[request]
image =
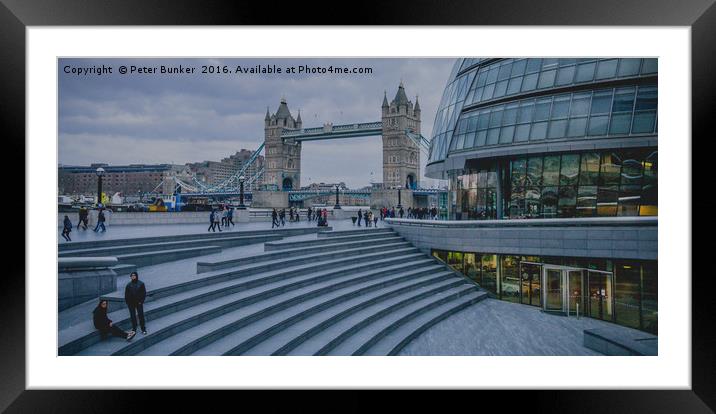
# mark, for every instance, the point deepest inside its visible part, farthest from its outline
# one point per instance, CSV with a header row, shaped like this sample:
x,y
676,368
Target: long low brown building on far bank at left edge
x,y
126,179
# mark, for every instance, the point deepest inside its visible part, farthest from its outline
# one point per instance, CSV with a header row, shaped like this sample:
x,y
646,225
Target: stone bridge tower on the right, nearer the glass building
x,y
401,156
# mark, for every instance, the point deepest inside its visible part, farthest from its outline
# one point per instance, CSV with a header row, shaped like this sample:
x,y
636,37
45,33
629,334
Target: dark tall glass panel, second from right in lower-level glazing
x,y
627,296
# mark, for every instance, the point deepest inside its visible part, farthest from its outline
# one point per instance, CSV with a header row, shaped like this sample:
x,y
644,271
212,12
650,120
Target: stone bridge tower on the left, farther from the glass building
x,y
282,156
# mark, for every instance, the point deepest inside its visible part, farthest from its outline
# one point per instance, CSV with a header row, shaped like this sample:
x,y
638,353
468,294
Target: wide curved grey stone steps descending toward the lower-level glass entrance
x,y
358,292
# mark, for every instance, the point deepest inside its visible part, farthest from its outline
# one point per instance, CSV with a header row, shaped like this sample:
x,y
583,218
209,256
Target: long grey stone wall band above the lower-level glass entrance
x,y
616,238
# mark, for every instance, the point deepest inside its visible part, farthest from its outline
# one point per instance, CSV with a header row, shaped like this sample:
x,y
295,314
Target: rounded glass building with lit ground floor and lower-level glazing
x,y
572,140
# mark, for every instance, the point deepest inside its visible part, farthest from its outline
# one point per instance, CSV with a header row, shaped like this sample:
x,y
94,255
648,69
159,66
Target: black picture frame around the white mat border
x,y
16,15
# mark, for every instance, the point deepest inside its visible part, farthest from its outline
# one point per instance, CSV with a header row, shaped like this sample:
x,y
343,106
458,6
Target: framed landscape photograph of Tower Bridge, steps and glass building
x,y
358,206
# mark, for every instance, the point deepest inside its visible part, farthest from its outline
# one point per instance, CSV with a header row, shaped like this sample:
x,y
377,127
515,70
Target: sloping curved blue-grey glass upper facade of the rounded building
x,y
492,102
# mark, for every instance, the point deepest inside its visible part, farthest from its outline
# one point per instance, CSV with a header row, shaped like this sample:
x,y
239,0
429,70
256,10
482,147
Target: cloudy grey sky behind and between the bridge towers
x,y
179,118
